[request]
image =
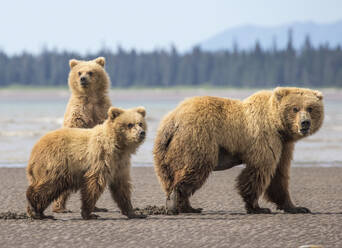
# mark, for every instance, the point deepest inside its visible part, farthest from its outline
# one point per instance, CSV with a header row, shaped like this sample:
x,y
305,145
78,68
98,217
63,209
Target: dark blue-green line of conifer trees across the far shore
x,y
308,67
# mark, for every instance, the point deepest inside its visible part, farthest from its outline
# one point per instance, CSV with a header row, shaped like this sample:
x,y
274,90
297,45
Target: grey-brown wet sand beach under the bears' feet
x,y
223,222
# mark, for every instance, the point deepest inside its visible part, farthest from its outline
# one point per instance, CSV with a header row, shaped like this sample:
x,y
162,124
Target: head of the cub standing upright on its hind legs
x,y
88,77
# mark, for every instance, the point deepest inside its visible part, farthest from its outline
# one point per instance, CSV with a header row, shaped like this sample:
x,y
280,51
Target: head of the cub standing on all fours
x,y
128,125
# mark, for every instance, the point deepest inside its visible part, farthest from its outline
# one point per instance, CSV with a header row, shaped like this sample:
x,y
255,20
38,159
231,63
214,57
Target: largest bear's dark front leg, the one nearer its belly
x,y
251,183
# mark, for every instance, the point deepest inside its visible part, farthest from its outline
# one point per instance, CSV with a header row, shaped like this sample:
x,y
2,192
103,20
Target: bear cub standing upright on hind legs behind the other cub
x,y
87,106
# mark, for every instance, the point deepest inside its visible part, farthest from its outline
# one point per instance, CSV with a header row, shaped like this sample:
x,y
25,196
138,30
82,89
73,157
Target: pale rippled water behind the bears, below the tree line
x,y
26,116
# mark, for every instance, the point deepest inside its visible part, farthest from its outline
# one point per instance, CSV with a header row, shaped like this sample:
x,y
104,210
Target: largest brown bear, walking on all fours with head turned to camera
x,y
204,134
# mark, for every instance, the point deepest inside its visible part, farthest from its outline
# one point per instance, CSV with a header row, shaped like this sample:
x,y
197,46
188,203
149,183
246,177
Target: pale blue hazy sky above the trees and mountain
x,y
86,25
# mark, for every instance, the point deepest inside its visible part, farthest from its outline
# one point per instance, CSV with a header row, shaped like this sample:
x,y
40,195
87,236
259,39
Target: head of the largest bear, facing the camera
x,y
301,111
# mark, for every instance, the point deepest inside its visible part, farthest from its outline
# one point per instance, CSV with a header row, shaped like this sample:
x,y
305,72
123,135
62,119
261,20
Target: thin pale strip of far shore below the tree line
x,y
155,94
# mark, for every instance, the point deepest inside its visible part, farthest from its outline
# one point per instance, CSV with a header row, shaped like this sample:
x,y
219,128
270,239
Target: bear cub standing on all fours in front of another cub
x,y
86,159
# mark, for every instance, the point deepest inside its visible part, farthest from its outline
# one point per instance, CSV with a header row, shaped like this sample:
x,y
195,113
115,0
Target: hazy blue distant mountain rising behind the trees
x,y
246,36
